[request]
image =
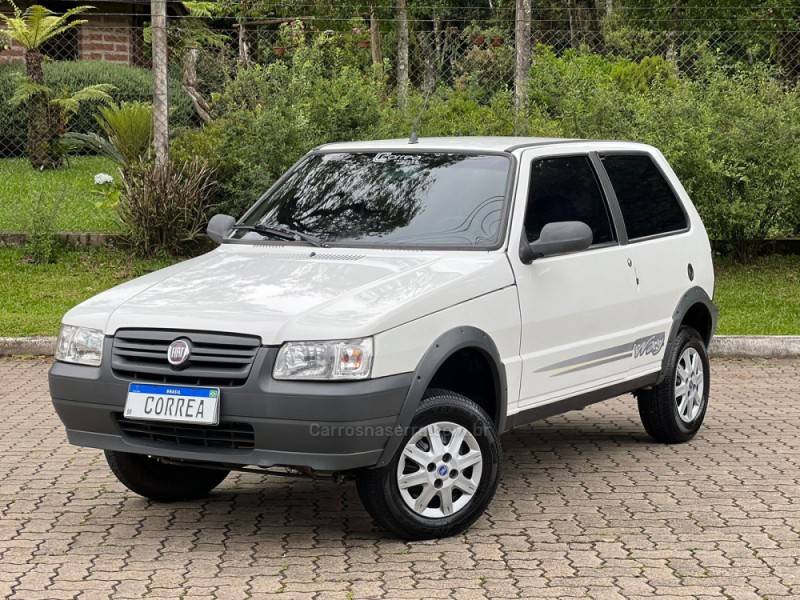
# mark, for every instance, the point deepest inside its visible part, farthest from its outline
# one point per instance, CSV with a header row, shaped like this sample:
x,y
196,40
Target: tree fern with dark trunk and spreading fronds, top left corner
x,y
31,29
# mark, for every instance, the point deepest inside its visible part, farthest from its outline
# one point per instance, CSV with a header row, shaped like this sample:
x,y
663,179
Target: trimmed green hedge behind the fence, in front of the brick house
x,y
131,84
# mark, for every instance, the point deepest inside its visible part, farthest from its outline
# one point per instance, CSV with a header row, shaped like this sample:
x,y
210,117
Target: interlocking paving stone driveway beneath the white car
x,y
588,506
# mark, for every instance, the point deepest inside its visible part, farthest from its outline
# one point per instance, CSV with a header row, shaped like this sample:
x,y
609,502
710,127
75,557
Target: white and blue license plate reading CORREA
x,y
173,403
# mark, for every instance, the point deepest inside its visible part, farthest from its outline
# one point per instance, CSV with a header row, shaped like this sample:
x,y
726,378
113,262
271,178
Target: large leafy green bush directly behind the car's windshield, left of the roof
x,y
268,117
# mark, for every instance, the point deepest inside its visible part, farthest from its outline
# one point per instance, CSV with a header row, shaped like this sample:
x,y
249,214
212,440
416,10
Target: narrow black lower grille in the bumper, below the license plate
x,y
233,436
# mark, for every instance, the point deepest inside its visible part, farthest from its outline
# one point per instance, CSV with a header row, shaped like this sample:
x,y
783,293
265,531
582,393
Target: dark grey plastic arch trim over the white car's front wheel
x,y
440,350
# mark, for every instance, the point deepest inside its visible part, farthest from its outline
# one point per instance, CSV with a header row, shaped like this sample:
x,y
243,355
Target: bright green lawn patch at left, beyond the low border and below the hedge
x,y
72,186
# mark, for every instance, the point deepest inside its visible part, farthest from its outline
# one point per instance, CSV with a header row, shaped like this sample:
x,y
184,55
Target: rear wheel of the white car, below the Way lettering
x,y
668,416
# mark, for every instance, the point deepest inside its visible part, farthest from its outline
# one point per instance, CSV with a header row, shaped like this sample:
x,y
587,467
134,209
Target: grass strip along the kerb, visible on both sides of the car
x,y
759,298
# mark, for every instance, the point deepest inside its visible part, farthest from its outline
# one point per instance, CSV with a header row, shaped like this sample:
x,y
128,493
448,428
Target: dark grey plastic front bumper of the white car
x,y
326,426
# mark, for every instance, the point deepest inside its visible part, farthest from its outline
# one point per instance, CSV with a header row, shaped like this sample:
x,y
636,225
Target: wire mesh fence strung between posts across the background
x,y
203,59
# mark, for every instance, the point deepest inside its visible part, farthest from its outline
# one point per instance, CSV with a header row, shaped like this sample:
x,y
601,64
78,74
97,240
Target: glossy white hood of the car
x,y
285,293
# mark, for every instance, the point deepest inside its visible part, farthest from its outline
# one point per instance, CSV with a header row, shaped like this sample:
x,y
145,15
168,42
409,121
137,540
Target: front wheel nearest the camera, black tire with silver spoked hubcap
x,y
451,416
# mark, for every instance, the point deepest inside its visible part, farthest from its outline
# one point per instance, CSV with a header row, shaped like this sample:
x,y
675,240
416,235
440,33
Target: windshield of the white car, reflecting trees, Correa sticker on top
x,y
390,199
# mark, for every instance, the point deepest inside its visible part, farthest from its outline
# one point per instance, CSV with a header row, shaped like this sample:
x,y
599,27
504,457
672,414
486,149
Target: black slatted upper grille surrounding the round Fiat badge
x,y
216,359
